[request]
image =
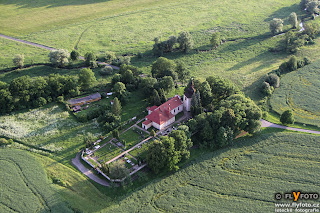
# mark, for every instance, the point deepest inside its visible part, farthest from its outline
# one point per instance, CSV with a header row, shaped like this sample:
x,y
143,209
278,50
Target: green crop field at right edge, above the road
x,y
299,91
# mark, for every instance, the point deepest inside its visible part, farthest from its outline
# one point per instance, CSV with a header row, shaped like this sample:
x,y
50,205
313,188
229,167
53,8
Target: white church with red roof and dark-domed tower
x,y
162,116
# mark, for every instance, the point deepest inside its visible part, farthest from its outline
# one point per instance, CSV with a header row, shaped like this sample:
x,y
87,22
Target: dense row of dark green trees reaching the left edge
x,y
24,92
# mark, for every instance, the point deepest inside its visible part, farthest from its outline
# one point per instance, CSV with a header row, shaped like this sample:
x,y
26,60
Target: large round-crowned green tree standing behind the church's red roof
x,y
162,67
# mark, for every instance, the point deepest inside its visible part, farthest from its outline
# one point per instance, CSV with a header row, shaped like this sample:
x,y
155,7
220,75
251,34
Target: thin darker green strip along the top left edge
x,y
49,3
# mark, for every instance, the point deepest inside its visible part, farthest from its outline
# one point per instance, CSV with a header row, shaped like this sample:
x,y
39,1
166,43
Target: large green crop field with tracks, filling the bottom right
x,y
241,179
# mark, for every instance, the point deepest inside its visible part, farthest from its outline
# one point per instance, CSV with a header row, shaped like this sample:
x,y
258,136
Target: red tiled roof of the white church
x,y
162,114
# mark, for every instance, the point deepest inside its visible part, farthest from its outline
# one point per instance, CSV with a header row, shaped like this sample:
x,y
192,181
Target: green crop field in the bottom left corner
x,y
24,185
